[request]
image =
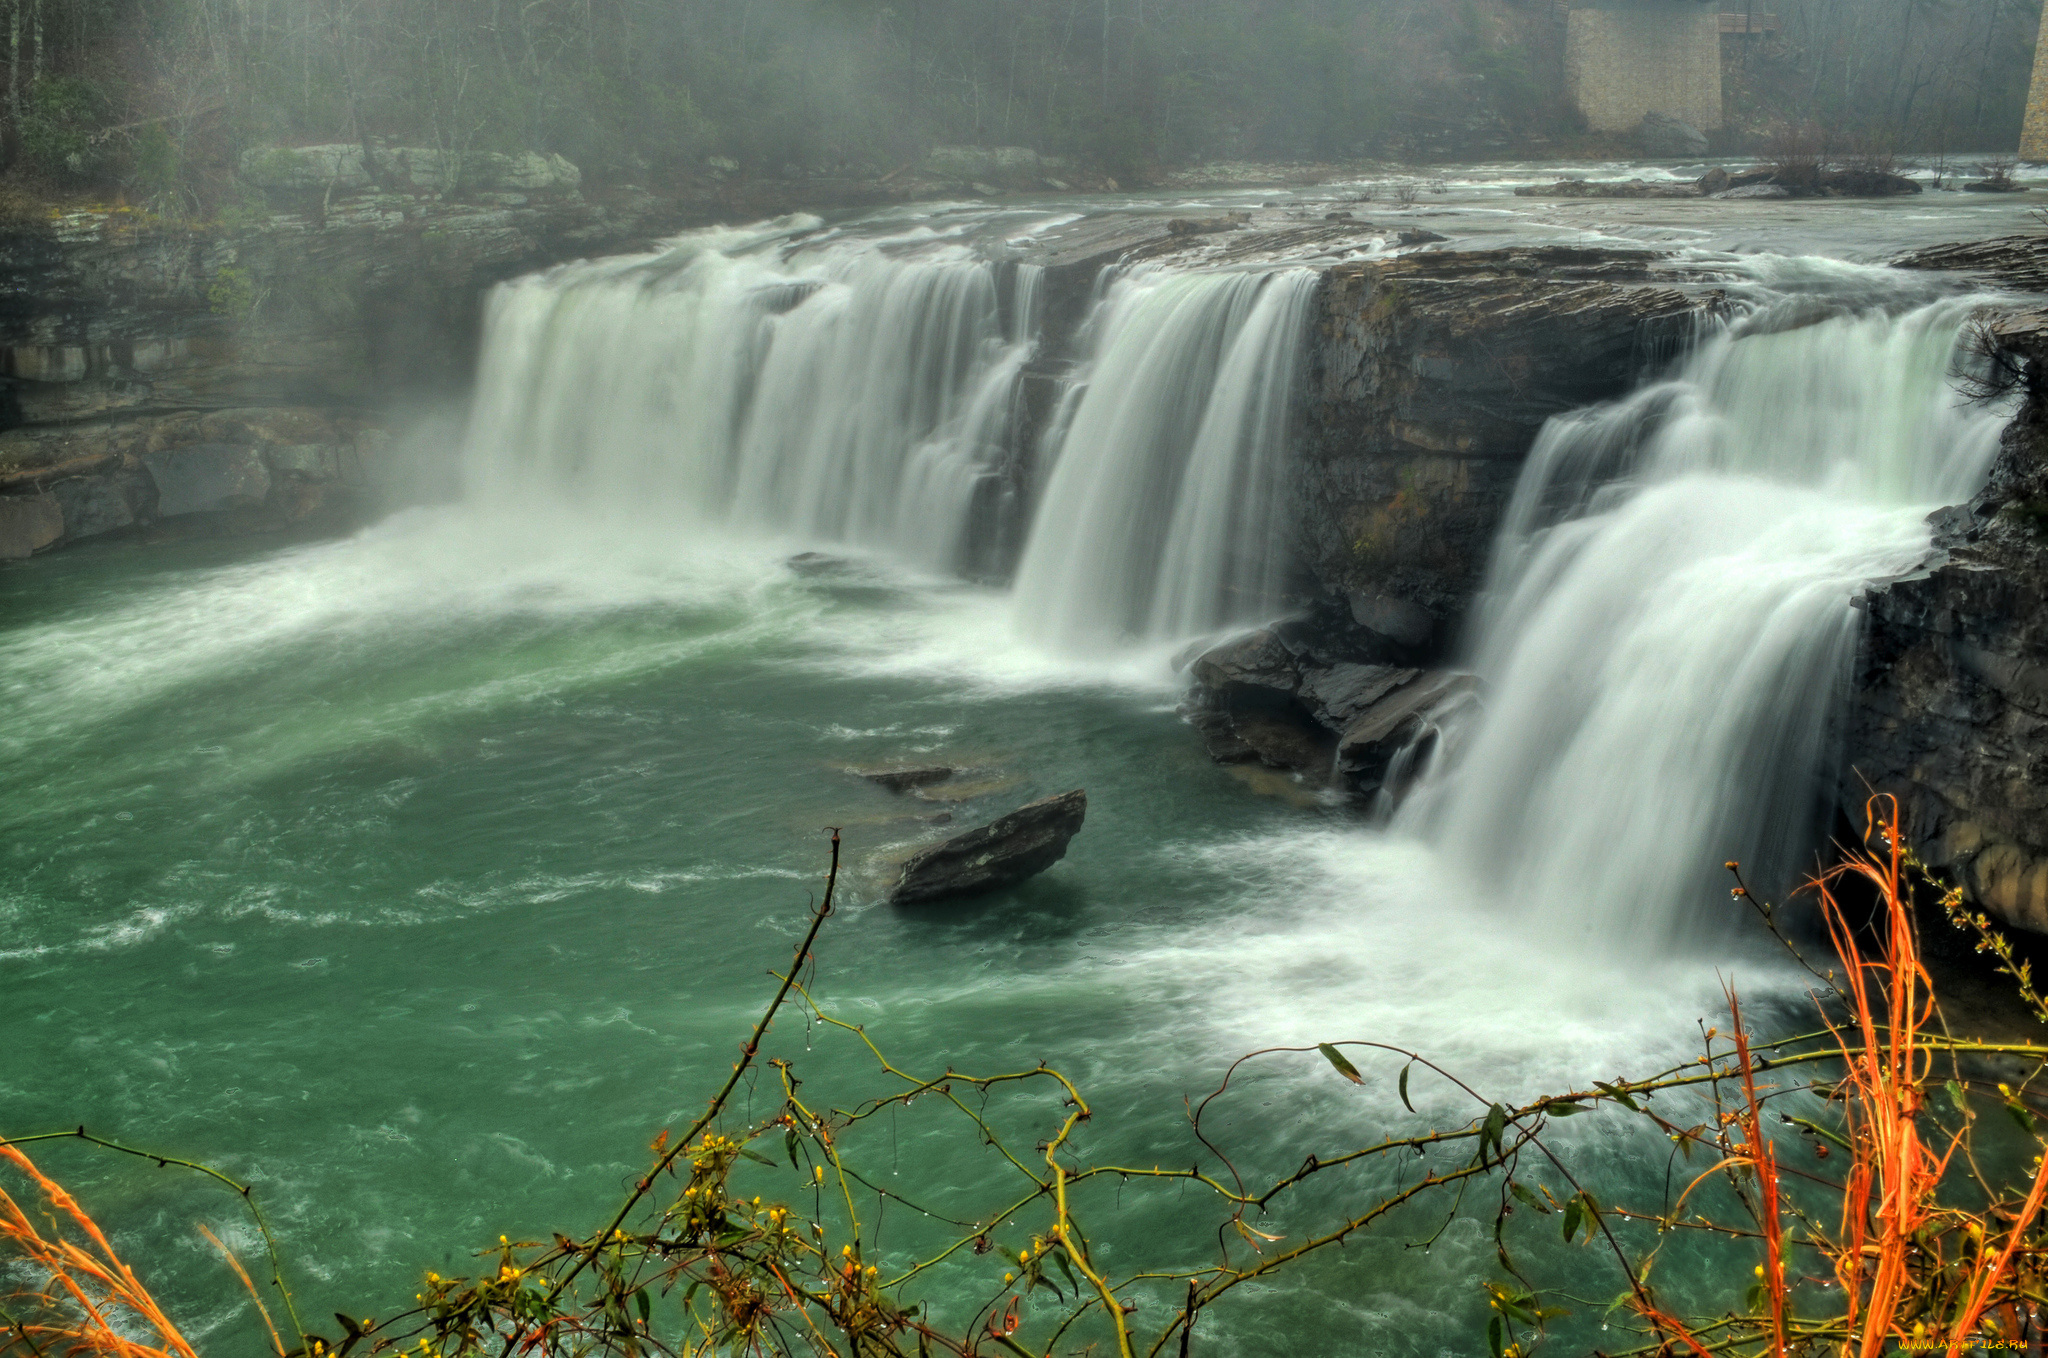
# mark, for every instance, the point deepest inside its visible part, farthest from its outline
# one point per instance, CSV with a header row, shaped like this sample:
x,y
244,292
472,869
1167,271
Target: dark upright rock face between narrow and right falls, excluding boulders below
x,y
1428,382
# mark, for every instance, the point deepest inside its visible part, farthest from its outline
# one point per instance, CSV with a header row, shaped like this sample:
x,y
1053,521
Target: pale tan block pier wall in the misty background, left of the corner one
x,y
1656,58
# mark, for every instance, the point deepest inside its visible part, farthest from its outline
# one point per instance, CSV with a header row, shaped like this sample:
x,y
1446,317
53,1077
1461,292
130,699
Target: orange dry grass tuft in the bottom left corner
x,y
87,1296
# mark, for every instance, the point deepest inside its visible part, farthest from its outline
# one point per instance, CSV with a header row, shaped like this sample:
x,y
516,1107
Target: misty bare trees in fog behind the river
x,y
161,95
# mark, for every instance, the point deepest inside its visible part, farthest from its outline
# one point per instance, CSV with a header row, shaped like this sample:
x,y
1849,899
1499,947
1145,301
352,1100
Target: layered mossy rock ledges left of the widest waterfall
x,y
237,378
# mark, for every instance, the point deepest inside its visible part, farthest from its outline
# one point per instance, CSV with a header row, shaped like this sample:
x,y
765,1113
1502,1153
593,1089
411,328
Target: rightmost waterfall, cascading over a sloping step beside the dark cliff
x,y
1670,618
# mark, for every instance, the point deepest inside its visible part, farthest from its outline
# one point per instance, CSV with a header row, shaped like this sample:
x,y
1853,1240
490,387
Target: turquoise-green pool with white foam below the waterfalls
x,y
423,878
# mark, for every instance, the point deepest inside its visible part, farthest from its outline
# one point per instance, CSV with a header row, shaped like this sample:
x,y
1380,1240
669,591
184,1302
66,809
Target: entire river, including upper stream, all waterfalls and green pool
x,y
425,876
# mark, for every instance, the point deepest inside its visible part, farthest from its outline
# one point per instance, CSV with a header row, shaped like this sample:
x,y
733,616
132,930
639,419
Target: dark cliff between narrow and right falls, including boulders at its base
x,y
1428,380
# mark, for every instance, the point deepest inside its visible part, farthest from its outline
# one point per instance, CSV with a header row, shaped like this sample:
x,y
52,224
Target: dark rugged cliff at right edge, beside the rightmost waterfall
x,y
1951,710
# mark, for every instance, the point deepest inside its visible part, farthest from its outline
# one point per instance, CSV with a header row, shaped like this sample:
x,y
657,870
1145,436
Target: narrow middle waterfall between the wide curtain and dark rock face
x,y
1162,513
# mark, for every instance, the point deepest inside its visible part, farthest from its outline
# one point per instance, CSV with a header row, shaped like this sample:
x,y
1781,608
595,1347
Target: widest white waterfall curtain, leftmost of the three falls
x,y
837,392
